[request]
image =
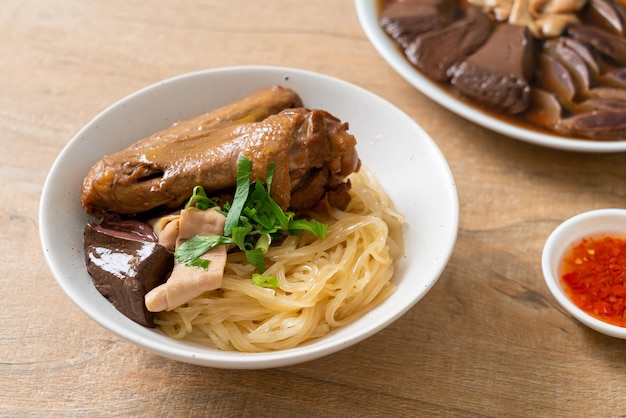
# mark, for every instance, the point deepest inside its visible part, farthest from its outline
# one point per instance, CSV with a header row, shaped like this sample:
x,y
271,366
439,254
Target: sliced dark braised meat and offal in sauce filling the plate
x,y
565,76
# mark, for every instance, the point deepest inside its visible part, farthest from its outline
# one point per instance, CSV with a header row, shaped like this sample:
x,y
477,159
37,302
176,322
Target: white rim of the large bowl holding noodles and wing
x,y
212,358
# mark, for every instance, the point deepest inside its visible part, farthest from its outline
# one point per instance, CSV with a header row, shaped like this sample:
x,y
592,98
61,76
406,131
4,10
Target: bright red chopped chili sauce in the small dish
x,y
594,277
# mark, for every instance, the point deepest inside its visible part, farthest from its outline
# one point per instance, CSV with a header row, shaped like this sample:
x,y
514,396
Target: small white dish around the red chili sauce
x,y
595,223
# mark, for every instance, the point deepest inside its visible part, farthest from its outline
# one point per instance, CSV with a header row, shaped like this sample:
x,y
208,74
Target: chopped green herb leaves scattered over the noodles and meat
x,y
253,221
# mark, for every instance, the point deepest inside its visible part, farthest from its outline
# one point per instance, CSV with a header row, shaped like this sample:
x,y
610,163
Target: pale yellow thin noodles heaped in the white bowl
x,y
324,283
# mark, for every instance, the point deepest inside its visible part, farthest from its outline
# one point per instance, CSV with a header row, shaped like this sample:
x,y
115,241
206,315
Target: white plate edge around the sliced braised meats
x,y
367,12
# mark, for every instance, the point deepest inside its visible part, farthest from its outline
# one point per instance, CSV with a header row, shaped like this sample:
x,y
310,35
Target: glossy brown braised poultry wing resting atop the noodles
x,y
311,150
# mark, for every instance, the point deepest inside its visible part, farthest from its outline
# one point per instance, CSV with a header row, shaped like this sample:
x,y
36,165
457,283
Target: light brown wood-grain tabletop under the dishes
x,y
488,340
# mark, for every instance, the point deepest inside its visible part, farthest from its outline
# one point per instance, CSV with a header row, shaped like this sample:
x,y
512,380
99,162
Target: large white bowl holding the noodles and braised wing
x,y
405,160
